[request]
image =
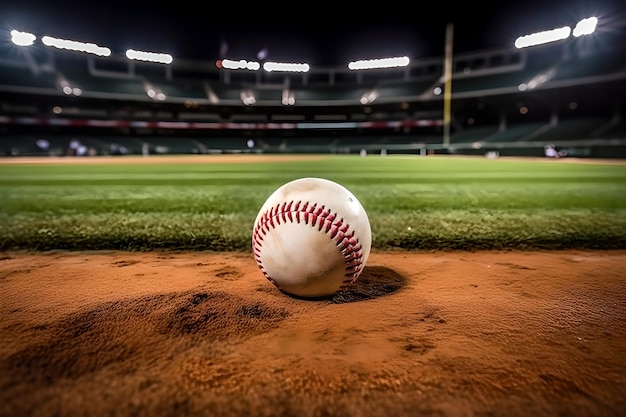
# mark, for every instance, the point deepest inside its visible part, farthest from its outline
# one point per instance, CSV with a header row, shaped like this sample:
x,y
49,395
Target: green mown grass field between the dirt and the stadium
x,y
421,203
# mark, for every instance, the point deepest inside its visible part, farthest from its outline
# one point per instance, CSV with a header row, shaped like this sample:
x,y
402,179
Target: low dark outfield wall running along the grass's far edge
x,y
94,146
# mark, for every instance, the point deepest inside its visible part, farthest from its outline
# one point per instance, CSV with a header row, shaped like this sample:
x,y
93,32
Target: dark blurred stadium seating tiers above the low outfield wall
x,y
63,92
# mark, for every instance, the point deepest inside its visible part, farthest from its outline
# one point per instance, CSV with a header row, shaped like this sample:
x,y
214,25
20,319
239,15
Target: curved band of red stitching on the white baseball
x,y
316,216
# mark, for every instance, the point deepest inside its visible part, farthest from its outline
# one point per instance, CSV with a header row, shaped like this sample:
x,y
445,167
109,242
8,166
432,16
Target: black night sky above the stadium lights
x,y
310,32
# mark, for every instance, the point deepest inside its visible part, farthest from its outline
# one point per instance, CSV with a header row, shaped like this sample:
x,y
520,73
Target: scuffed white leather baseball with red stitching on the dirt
x,y
311,238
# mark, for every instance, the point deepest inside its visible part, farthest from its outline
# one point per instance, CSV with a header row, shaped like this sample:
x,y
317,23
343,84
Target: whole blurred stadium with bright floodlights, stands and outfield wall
x,y
567,95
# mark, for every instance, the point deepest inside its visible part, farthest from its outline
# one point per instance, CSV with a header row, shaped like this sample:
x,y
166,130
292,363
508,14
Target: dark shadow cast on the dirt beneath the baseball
x,y
374,282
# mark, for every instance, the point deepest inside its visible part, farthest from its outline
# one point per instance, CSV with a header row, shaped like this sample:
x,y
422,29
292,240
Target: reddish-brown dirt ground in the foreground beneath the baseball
x,y
205,334
